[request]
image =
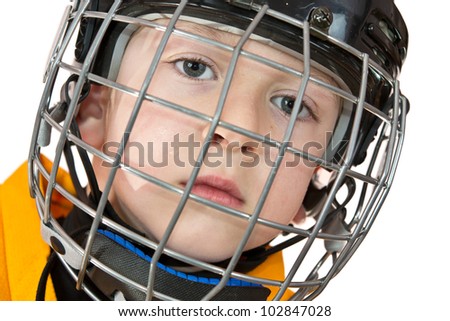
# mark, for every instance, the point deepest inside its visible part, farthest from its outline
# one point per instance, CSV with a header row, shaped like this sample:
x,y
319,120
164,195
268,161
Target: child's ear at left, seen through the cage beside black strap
x,y
91,116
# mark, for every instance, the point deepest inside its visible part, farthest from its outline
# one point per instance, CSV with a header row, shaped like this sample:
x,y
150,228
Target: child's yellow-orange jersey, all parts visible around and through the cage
x,y
23,254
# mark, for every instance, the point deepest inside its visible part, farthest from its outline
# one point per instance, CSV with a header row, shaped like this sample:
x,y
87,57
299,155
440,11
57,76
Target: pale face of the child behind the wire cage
x,y
165,143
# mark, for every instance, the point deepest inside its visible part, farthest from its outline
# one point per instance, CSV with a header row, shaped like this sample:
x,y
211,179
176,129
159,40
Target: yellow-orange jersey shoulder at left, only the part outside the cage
x,y
23,254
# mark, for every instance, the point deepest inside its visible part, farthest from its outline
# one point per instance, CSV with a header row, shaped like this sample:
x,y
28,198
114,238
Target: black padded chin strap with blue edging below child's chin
x,y
131,262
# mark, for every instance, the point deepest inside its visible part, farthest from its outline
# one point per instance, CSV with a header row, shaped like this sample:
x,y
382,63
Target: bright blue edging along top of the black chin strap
x,y
194,278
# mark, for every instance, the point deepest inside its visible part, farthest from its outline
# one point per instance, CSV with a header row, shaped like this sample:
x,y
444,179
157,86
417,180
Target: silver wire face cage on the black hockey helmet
x,y
263,184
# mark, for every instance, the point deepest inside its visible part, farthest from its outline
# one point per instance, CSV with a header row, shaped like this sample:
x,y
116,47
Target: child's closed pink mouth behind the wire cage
x,y
219,190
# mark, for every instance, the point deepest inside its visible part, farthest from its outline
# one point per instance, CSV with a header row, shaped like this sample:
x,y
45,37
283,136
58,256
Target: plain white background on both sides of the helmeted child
x,y
401,271
